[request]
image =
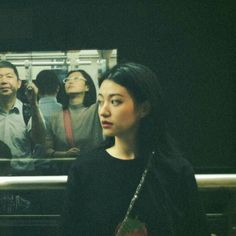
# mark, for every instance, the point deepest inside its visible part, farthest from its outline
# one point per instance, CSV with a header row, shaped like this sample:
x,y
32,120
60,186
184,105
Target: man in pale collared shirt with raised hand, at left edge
x,y
16,132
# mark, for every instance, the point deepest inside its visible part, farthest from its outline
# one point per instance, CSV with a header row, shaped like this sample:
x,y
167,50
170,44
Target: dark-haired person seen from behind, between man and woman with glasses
x,y
48,85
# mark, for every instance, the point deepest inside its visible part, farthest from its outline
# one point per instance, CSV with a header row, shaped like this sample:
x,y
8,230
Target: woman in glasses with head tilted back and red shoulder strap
x,y
77,126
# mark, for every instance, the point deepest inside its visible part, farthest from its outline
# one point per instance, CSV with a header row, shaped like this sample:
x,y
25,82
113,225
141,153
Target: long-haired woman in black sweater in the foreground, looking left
x,y
135,184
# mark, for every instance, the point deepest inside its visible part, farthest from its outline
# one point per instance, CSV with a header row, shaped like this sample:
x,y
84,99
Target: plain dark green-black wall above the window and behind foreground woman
x,y
188,43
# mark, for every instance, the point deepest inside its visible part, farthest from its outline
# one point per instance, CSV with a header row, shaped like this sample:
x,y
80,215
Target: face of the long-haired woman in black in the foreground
x,y
117,111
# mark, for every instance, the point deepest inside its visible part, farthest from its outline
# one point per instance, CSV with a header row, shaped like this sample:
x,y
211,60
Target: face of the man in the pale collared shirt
x,y
9,83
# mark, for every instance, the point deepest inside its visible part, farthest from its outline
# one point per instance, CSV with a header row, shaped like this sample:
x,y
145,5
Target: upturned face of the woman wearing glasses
x,y
75,83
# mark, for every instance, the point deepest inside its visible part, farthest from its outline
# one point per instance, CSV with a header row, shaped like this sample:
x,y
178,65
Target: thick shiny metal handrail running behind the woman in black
x,y
204,181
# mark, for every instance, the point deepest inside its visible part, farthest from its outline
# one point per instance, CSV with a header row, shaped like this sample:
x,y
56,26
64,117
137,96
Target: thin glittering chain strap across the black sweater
x,y
136,195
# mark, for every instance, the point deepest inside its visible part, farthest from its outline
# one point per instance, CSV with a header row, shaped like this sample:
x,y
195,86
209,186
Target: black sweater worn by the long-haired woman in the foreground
x,y
100,188
